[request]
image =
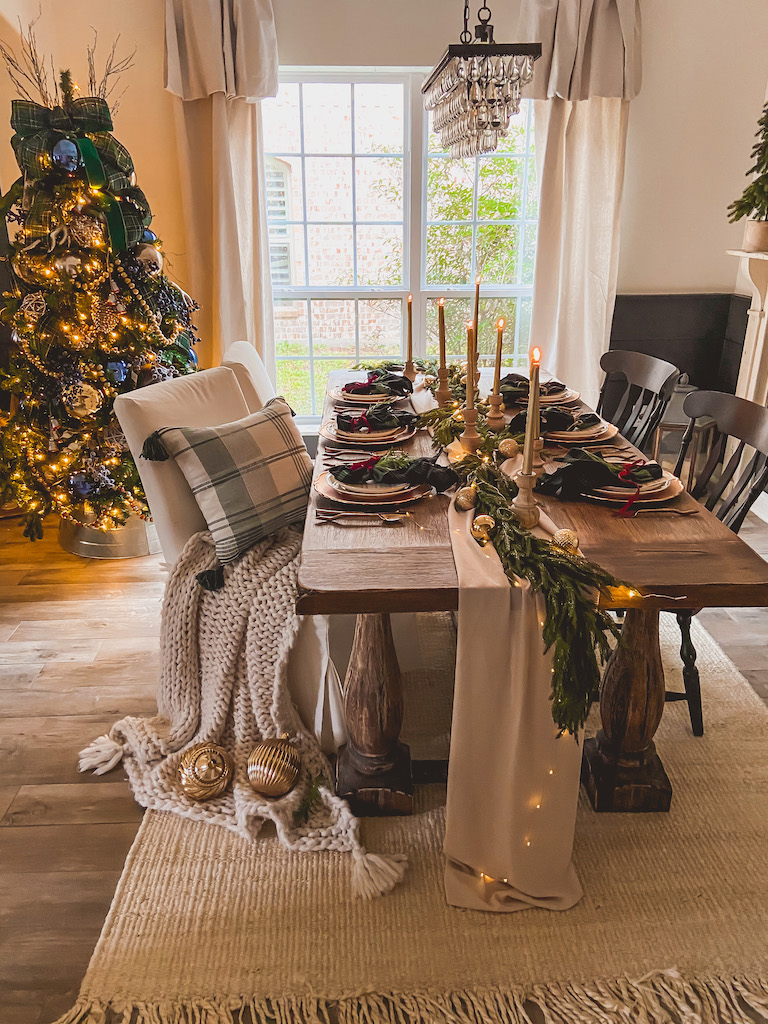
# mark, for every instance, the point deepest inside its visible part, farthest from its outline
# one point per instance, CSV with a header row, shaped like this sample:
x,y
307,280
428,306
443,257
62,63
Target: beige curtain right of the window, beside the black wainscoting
x,y
589,71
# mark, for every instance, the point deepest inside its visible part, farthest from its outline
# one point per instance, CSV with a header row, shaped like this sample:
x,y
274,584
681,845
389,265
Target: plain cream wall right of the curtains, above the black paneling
x,y
691,135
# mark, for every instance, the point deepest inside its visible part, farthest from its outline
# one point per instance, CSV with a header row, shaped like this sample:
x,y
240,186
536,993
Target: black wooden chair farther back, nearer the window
x,y
649,387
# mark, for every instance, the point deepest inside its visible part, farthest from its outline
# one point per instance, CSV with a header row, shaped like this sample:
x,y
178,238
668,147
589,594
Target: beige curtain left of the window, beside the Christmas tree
x,y
222,60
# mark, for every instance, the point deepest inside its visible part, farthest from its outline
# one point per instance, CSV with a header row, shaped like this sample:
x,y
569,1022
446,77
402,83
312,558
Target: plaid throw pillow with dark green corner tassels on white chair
x,y
250,478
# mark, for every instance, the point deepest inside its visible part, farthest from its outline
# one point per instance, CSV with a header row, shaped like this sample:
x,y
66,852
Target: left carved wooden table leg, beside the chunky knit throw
x,y
373,771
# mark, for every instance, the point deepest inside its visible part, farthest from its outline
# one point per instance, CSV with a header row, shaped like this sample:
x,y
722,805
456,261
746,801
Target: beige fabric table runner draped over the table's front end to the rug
x,y
514,785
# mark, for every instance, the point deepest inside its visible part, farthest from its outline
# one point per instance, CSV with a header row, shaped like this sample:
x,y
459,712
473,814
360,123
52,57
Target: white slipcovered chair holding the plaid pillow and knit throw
x,y
208,399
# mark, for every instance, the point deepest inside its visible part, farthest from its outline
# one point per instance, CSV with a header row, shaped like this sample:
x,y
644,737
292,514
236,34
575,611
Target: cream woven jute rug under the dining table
x,y
207,928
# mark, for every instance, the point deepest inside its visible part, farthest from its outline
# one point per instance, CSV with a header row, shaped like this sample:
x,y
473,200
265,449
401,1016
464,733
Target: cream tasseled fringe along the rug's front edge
x,y
663,998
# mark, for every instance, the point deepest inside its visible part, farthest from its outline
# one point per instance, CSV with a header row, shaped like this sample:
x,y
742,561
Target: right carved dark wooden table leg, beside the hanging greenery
x,y
621,769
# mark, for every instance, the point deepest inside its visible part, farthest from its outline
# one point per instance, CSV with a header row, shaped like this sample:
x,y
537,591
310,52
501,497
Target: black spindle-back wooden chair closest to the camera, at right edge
x,y
731,494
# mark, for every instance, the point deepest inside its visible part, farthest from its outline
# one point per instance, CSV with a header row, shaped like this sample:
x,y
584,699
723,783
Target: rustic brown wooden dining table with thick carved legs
x,y
371,570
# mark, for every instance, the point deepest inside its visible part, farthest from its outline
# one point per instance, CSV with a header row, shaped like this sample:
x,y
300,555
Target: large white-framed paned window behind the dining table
x,y
364,209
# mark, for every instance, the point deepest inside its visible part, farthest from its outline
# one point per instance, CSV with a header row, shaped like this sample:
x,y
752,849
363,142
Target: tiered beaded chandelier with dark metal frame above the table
x,y
476,89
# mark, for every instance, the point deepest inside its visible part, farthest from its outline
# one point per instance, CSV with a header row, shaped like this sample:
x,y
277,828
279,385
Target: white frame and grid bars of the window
x,y
416,135
